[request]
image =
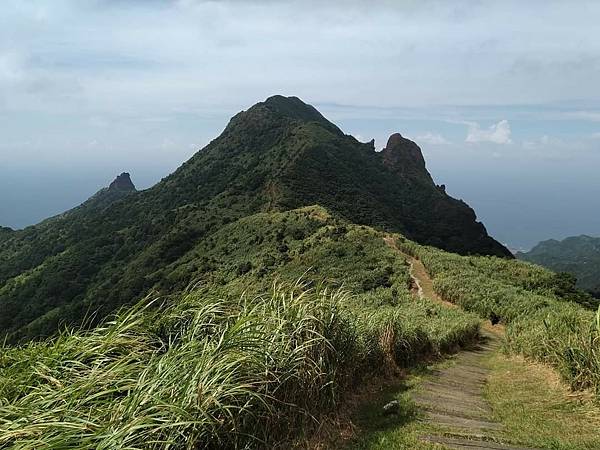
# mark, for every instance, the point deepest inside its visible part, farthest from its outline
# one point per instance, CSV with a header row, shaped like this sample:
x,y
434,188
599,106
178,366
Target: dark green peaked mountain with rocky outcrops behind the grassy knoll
x,y
279,155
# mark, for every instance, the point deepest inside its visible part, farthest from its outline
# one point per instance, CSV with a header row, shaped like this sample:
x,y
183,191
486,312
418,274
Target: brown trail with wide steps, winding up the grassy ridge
x,y
452,398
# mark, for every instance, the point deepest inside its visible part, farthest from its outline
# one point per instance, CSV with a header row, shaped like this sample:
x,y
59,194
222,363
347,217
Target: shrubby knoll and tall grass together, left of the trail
x,y
235,362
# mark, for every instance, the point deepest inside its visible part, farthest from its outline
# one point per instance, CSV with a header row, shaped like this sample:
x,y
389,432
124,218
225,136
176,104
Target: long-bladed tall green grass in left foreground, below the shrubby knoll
x,y
206,371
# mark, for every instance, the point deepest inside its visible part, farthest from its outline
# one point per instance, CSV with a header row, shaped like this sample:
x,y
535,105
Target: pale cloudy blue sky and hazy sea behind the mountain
x,y
502,97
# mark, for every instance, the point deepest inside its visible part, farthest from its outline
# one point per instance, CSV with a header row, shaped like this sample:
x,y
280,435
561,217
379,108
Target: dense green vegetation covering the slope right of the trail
x,y
547,318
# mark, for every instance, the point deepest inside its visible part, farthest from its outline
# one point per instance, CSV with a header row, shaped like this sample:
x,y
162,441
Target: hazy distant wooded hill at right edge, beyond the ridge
x,y
578,255
